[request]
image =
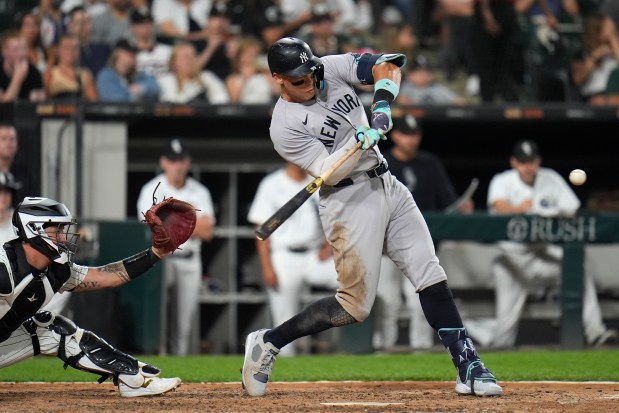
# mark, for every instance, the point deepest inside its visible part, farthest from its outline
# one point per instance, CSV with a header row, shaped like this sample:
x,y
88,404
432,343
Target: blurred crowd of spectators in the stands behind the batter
x,y
213,51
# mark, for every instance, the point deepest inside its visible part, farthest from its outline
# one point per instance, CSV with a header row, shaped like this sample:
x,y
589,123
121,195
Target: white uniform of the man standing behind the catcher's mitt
x,y
183,268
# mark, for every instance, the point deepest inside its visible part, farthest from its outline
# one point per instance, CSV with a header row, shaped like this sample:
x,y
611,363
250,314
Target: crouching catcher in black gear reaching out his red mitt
x,y
37,264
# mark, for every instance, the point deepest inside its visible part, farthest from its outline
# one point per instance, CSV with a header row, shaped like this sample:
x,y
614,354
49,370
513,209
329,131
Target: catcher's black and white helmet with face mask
x,y
32,221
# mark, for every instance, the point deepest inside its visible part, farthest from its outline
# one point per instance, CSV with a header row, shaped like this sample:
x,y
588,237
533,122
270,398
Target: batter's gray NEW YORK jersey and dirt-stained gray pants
x,y
369,216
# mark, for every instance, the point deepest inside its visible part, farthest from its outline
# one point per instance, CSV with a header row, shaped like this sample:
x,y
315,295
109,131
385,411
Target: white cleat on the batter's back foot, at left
x,y
258,363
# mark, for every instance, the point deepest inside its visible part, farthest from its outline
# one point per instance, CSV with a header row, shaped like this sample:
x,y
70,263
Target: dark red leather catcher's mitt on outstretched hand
x,y
171,223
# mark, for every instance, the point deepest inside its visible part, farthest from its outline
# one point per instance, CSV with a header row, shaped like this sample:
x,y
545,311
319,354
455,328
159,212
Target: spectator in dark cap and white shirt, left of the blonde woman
x,y
153,57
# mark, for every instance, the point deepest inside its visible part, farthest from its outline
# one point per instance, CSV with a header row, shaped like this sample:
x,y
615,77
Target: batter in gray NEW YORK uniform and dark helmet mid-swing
x,y
364,209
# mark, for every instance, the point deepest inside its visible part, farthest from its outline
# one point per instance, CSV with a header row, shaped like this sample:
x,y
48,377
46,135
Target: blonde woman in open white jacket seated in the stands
x,y
187,83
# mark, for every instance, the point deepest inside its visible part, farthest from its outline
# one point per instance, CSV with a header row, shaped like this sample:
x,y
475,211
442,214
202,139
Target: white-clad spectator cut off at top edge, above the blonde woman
x,y
181,19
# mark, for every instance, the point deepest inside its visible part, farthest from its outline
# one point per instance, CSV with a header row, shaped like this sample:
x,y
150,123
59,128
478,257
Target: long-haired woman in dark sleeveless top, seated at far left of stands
x,y
66,80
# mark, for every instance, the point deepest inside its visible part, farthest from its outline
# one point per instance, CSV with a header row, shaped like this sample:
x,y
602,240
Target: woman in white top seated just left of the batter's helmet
x,y
251,82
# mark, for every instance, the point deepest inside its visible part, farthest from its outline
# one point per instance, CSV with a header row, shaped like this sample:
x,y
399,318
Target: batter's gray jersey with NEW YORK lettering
x,y
302,131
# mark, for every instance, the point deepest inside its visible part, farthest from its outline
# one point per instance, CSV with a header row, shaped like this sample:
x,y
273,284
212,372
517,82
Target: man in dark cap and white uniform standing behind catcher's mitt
x,y
183,269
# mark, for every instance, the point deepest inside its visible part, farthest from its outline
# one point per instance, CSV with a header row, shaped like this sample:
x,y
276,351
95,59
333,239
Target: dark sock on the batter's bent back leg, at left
x,y
318,316
